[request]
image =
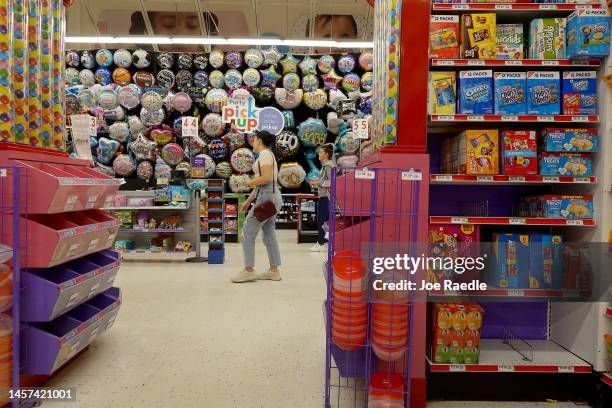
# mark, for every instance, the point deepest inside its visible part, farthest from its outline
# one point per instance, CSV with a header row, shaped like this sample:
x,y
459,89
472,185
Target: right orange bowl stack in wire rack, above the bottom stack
x,y
389,330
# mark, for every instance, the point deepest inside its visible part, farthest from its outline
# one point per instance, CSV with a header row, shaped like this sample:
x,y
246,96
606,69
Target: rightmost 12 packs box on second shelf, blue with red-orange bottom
x,y
579,93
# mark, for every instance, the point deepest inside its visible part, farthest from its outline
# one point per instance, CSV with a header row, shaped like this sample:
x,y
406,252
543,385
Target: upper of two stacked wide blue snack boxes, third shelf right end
x,y
570,140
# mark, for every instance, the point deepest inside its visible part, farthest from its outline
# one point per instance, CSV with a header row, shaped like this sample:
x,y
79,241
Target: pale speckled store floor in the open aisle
x,y
186,337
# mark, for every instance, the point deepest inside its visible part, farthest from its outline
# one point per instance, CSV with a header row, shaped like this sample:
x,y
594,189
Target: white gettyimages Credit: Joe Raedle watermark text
x,y
393,269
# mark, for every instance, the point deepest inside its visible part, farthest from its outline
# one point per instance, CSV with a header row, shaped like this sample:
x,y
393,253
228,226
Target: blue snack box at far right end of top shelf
x,y
588,33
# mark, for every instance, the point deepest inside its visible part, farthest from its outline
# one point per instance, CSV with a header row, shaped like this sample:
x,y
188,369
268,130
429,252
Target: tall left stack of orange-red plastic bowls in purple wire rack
x,y
349,322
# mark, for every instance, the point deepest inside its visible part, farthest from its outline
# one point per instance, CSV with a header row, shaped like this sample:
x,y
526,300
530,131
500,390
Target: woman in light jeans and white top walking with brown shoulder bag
x,y
266,170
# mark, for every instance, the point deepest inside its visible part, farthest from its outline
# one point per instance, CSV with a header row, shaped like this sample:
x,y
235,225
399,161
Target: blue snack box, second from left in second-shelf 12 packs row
x,y
510,93
